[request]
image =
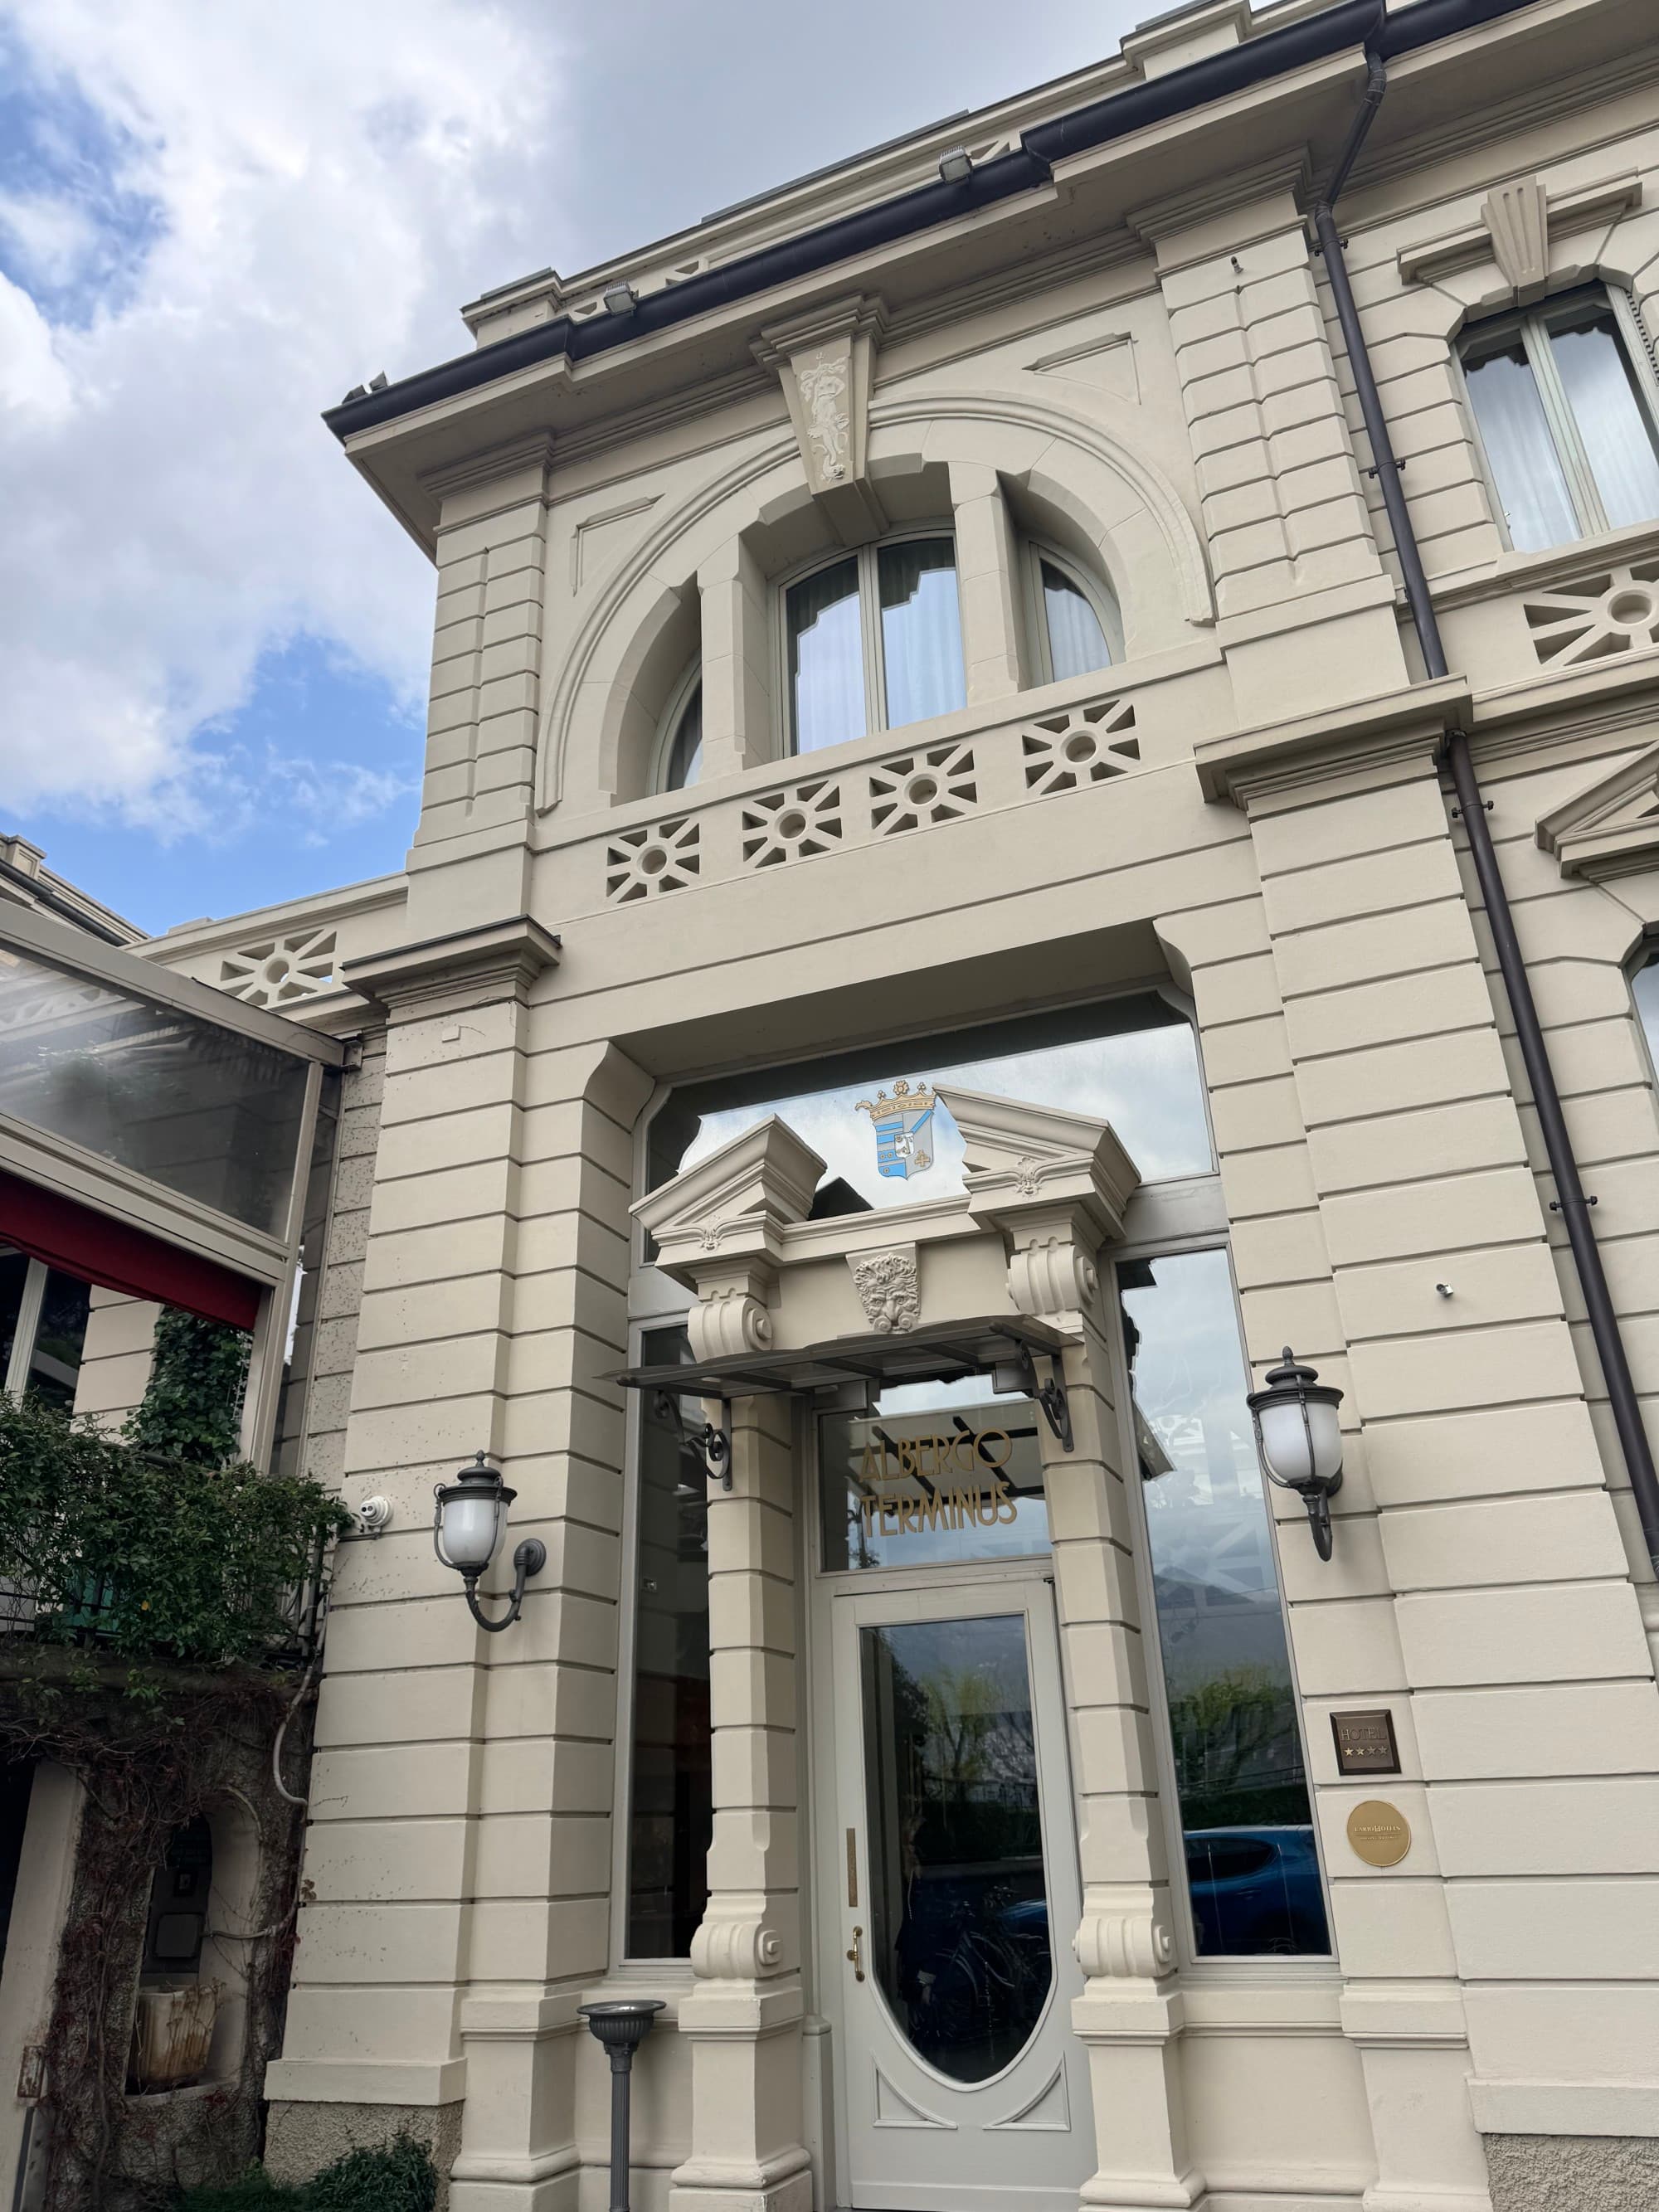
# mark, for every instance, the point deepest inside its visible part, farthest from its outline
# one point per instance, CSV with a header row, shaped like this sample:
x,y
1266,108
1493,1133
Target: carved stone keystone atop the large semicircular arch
x,y
828,362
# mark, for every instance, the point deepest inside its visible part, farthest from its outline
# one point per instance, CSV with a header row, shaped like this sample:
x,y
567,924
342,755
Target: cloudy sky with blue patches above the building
x,y
216,218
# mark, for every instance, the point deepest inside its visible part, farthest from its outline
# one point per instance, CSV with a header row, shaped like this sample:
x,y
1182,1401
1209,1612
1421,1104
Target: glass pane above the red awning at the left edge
x,y
198,1109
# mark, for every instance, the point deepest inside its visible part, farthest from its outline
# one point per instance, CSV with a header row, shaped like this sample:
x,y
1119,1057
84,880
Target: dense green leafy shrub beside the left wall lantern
x,y
152,1558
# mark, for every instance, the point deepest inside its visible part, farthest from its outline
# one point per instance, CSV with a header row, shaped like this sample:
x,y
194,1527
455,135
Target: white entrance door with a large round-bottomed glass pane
x,y
957,1901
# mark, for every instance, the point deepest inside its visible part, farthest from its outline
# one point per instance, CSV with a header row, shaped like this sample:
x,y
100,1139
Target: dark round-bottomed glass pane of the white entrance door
x,y
959,1908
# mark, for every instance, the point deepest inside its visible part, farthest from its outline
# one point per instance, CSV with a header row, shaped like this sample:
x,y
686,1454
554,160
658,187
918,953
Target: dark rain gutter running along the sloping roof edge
x,y
1023,169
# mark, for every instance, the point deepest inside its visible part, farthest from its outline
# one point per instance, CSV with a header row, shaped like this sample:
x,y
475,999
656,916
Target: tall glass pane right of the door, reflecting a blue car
x,y
1253,1872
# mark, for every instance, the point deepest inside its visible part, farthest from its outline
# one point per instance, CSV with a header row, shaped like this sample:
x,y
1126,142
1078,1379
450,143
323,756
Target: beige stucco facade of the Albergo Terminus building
x,y
1131,362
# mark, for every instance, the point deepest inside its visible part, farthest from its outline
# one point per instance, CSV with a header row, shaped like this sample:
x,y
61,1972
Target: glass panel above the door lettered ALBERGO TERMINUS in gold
x,y
937,1472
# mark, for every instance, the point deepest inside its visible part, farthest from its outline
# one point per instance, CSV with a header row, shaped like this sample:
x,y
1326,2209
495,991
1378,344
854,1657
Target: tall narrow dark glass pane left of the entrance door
x,y
671,1804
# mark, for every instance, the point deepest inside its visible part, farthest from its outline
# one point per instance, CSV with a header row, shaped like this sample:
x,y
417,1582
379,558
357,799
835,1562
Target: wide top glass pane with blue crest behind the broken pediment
x,y
1131,1063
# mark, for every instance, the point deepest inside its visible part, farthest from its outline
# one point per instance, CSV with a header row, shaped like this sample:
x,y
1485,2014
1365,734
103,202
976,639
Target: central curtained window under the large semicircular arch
x,y
873,643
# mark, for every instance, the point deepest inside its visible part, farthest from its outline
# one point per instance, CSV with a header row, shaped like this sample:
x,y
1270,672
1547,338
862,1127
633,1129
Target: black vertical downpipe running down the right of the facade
x,y
1512,966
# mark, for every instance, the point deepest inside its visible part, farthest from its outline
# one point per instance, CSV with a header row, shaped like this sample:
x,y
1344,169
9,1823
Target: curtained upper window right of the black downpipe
x,y
1565,406
